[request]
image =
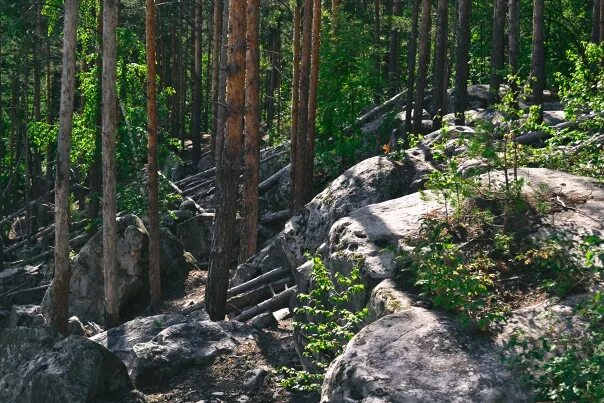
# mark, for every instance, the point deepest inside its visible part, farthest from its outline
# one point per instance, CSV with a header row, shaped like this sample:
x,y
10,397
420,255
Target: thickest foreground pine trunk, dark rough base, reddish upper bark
x,y
227,174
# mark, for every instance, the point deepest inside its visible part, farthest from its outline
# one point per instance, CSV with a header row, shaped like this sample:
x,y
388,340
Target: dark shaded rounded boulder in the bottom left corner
x,y
36,365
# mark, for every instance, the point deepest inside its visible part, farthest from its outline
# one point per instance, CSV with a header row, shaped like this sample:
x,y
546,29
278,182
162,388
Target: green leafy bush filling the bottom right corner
x,y
566,367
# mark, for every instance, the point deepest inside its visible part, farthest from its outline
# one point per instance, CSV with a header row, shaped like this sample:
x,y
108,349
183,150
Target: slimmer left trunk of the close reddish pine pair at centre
x,y
295,105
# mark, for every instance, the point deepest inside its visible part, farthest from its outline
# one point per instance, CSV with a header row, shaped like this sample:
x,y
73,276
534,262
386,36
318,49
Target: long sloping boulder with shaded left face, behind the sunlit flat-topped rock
x,y
371,181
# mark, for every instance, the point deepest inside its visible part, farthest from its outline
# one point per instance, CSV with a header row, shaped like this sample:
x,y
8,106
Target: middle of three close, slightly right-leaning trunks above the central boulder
x,y
424,62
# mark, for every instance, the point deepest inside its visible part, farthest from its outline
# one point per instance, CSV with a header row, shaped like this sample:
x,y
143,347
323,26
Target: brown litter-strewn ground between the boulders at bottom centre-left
x,y
222,381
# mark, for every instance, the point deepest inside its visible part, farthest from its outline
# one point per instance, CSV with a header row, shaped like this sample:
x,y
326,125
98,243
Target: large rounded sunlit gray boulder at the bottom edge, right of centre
x,y
420,356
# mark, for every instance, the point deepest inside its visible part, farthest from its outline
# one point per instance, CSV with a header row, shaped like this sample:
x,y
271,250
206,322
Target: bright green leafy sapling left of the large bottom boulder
x,y
328,322
